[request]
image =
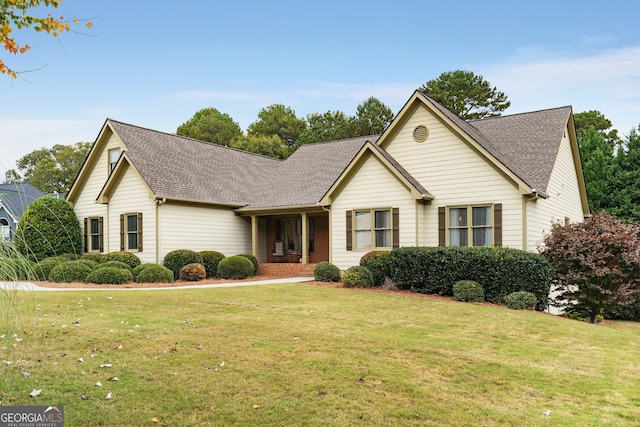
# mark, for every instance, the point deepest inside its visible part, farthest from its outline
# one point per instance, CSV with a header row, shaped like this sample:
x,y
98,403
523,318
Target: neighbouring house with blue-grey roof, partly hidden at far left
x,y
14,200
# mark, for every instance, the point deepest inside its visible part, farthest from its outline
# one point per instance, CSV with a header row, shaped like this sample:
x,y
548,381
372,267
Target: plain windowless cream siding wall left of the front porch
x,y
203,228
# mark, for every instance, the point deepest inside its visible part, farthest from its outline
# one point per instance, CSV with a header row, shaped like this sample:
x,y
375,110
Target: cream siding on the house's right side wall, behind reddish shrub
x,y
563,202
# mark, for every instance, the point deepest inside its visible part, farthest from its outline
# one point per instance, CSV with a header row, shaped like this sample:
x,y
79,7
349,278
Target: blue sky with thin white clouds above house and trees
x,y
155,63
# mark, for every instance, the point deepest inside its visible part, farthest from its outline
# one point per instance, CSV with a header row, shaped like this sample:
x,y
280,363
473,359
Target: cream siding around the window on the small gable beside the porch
x,y
373,186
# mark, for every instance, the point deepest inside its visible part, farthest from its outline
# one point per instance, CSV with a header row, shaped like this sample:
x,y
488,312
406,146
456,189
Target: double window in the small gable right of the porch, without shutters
x,y
372,228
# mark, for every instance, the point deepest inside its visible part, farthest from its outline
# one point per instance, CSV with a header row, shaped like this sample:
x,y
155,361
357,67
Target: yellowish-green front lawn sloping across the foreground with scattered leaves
x,y
305,355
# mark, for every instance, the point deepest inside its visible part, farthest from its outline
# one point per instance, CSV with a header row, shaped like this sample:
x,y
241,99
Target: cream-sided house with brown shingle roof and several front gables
x,y
430,179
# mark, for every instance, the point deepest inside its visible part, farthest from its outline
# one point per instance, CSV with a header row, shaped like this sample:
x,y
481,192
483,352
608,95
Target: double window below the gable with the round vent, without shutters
x,y
470,225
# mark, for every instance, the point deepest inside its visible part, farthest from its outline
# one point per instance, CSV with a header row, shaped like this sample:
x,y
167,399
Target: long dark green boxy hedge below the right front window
x,y
434,270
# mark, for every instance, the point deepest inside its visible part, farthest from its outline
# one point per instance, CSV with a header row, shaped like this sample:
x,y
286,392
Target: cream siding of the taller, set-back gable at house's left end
x,y
86,205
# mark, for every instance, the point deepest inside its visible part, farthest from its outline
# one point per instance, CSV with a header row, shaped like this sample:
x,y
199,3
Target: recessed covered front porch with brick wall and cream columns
x,y
291,237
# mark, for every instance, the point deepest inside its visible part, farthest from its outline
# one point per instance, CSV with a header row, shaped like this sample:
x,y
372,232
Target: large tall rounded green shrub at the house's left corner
x,y
48,227
